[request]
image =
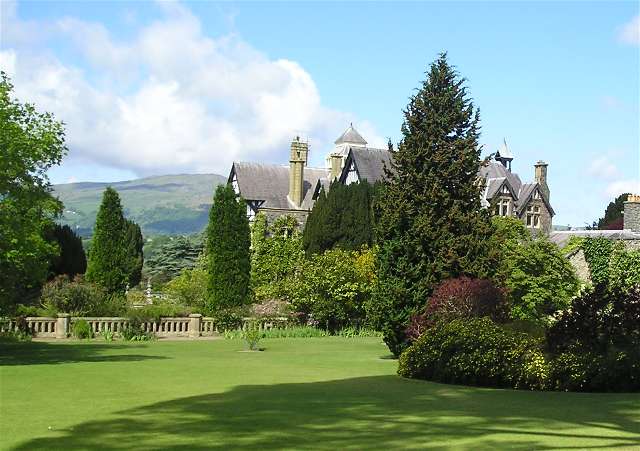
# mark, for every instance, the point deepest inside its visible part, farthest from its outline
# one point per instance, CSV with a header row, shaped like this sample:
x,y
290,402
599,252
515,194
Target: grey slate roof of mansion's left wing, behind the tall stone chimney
x,y
270,183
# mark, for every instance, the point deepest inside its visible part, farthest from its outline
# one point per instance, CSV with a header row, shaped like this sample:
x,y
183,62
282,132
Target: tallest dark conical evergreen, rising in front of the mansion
x,y
430,224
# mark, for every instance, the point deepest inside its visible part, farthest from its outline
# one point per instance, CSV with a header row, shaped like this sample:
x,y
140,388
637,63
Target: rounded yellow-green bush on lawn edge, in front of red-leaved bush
x,y
476,351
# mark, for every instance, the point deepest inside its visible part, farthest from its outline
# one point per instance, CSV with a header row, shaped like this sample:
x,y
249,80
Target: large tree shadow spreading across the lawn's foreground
x,y
364,413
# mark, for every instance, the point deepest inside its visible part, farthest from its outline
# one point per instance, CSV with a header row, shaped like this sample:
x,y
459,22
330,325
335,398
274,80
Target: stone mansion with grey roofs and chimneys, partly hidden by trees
x,y
277,190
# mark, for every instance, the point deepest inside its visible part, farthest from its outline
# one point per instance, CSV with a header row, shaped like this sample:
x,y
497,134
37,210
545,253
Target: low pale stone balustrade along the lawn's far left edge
x,y
193,326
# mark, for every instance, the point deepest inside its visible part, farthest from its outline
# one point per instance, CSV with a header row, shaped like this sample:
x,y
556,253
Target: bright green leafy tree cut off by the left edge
x,y
31,143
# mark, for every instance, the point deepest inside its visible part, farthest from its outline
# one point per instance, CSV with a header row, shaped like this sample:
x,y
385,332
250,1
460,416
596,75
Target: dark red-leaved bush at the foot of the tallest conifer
x,y
463,297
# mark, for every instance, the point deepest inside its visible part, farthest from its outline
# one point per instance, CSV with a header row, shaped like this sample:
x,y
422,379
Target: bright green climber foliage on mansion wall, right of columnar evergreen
x,y
276,251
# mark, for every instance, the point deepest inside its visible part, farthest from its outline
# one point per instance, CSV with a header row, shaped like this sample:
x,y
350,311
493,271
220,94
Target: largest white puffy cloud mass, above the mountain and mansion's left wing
x,y
171,99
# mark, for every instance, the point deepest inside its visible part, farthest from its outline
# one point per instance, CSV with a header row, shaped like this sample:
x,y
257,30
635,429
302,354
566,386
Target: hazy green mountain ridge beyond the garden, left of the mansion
x,y
167,204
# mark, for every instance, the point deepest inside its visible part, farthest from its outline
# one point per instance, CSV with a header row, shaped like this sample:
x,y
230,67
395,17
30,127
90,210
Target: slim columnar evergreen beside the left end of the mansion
x,y
227,244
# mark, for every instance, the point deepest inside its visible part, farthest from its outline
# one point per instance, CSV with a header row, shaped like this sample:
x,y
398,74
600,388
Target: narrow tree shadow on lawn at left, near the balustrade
x,y
42,353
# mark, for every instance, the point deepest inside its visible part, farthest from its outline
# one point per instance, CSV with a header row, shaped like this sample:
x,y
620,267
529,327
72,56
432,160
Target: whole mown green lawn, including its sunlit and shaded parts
x,y
329,393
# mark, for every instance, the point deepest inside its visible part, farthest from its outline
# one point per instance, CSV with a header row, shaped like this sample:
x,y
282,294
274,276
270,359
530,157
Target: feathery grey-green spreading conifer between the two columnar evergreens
x,y
175,255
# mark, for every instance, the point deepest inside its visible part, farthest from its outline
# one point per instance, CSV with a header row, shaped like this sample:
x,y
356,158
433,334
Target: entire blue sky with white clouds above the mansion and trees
x,y
157,88
